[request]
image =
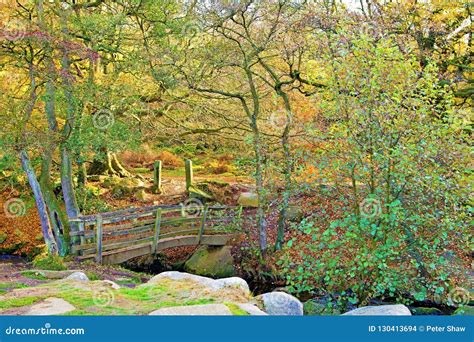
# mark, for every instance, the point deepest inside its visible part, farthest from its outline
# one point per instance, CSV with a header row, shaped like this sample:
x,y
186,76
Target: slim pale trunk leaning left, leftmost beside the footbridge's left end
x,y
40,203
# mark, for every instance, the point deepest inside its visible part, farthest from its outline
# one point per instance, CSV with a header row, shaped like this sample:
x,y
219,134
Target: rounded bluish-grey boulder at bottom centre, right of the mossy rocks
x,y
280,304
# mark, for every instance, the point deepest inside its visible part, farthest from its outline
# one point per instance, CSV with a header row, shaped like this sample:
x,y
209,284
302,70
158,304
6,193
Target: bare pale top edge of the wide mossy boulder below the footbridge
x,y
213,284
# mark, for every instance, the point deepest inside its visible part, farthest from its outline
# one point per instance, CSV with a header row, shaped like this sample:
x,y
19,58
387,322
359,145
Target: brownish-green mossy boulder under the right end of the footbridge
x,y
211,261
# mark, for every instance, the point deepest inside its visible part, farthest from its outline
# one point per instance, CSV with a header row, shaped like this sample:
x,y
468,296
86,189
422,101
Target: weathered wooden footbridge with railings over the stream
x,y
115,237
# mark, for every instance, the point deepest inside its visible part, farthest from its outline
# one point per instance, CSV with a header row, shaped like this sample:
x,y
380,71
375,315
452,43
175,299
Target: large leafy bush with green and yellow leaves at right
x,y
401,225
